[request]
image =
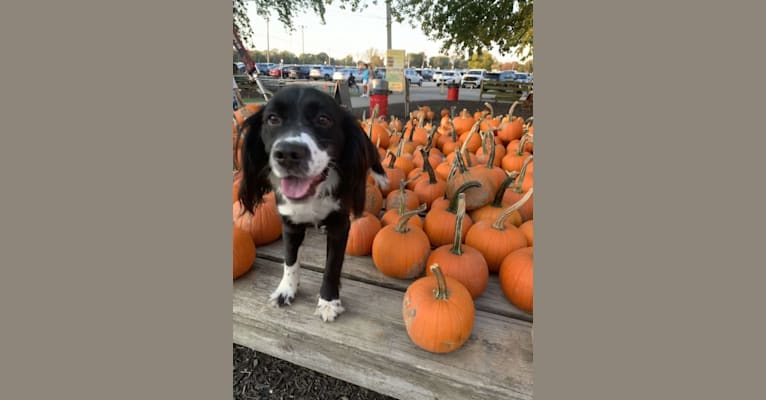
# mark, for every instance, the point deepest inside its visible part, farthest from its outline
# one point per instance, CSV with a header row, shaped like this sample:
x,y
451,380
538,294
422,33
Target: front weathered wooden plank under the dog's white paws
x,y
368,344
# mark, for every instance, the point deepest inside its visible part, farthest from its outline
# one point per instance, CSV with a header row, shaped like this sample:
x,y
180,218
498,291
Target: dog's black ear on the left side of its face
x,y
255,164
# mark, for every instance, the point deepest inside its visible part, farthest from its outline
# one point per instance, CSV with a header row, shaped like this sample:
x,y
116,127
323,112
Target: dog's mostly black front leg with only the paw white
x,y
329,306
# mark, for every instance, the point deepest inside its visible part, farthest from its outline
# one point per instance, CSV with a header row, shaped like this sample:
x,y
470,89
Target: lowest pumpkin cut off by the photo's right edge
x,y
517,278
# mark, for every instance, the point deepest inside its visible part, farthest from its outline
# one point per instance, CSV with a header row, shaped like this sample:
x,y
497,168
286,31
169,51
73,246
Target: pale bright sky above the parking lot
x,y
345,33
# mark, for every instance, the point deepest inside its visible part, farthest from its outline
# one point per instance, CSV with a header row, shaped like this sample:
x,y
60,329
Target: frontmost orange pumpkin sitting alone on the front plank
x,y
438,312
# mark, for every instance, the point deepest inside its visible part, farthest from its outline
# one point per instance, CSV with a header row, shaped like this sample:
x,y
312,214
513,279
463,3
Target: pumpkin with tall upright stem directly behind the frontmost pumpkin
x,y
461,261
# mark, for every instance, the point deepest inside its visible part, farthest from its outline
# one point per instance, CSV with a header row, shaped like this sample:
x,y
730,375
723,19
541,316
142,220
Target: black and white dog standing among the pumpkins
x,y
316,158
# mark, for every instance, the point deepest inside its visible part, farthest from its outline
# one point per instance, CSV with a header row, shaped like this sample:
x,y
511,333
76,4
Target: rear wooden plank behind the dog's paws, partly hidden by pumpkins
x,y
362,269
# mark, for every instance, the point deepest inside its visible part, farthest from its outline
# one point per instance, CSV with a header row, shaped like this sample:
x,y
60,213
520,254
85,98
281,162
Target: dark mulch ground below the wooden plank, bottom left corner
x,y
259,376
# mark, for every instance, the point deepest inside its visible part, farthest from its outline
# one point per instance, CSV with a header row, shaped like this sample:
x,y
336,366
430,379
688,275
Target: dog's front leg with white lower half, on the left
x,y
292,236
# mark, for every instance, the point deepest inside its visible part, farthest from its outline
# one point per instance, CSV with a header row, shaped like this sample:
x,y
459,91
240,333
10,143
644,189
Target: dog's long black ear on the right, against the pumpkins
x,y
359,155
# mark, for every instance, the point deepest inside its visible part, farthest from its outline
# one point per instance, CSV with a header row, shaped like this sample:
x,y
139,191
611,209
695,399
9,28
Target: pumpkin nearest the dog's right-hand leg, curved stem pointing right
x,y
401,251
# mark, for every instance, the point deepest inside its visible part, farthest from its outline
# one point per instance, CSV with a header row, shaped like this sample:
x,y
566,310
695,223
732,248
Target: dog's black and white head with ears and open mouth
x,y
303,145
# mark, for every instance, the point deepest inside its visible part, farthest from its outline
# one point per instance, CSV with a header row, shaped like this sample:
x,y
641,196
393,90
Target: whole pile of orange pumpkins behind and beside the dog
x,y
459,201
